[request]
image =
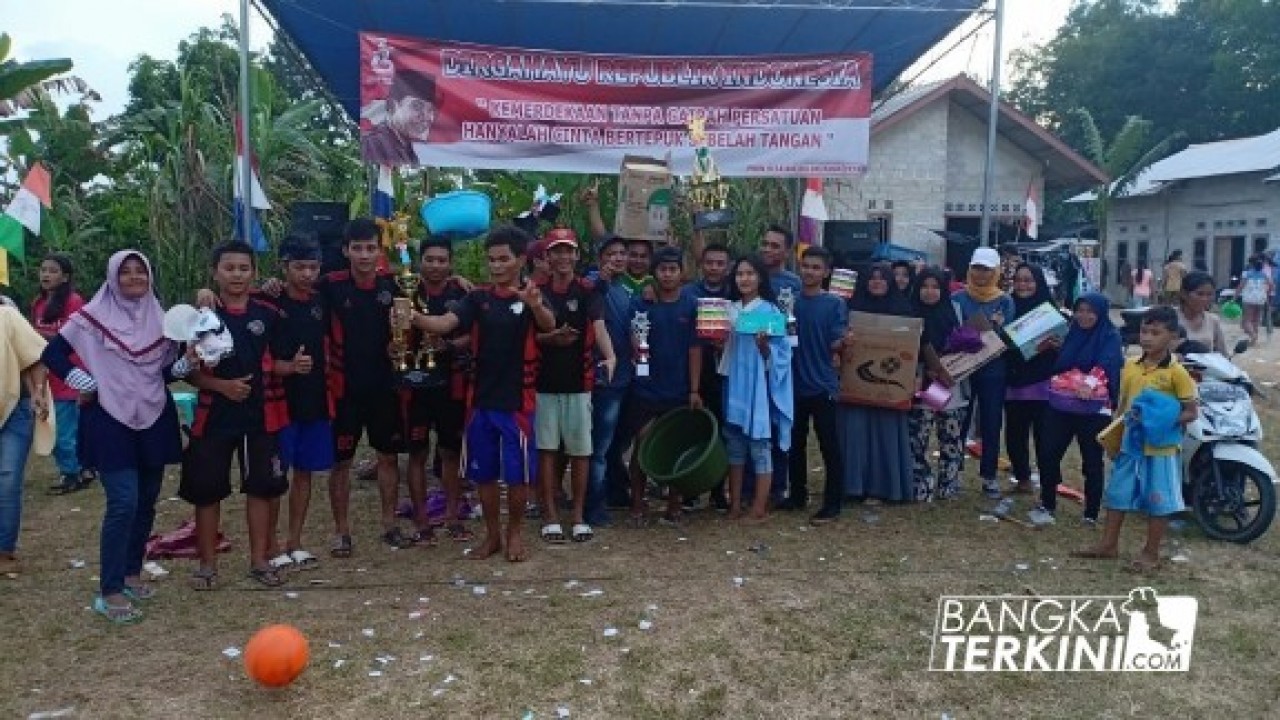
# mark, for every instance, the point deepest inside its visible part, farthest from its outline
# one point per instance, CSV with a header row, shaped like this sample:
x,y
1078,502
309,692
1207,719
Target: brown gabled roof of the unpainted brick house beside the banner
x,y
1063,166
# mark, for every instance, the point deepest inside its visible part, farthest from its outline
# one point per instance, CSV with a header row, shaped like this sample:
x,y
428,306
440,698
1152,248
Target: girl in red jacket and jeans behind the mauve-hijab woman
x,y
56,304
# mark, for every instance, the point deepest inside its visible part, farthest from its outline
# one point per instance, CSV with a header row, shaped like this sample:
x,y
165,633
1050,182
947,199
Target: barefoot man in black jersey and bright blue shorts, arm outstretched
x,y
500,434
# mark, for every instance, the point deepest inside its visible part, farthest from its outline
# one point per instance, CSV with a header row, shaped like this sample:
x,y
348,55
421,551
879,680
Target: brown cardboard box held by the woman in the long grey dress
x,y
879,368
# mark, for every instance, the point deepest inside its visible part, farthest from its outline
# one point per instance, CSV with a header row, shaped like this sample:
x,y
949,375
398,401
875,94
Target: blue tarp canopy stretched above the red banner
x,y
895,33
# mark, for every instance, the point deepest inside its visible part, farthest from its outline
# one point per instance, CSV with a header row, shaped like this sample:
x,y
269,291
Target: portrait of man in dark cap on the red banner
x,y
401,120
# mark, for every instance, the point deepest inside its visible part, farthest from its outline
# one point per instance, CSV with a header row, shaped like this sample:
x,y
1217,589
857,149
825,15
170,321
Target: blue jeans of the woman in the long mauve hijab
x,y
131,512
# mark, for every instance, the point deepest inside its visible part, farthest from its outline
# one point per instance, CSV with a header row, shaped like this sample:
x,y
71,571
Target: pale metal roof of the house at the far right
x,y
1258,154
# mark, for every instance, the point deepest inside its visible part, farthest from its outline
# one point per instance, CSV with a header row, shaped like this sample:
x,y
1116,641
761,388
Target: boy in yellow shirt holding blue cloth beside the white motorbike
x,y
1146,476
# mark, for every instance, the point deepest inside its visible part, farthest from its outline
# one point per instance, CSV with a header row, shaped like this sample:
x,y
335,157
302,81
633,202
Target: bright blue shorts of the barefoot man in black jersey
x,y
500,445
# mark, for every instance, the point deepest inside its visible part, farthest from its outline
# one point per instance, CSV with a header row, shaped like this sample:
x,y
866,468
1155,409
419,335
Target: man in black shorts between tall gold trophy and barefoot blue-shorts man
x,y
441,408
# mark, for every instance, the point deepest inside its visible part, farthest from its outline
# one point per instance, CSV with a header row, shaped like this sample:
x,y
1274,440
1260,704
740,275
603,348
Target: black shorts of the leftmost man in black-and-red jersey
x,y
207,468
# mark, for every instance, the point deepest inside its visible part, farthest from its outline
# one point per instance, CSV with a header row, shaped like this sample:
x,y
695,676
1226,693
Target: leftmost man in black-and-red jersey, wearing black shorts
x,y
240,409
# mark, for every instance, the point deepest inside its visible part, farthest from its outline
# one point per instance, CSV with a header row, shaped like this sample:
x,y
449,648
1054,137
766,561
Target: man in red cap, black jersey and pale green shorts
x,y
565,379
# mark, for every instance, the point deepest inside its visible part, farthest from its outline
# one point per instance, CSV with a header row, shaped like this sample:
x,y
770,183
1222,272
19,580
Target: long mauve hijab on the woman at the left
x,y
122,344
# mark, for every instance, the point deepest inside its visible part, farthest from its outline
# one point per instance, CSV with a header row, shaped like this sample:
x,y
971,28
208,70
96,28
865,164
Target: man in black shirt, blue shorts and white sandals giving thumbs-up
x,y
307,443
